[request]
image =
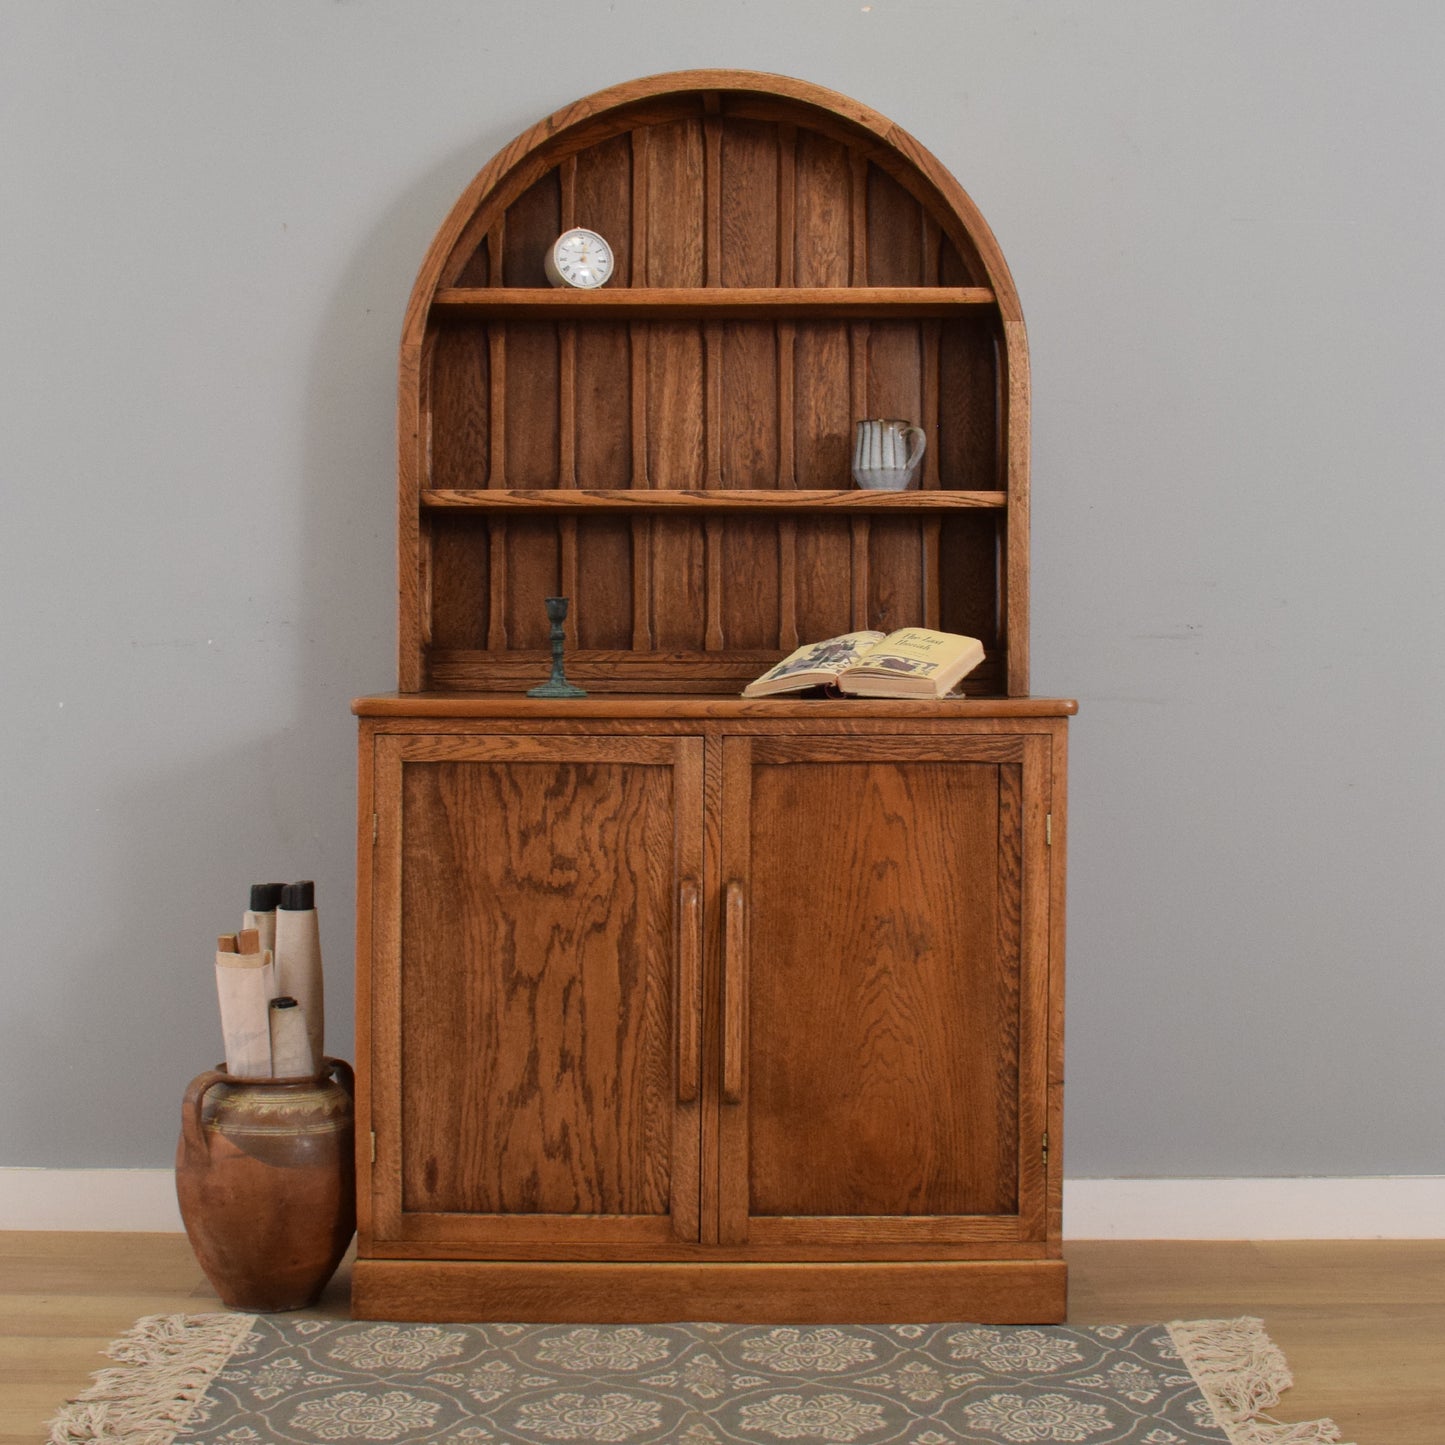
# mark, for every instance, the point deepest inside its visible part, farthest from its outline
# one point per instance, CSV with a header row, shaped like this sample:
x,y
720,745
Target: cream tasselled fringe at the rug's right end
x,y
1243,1373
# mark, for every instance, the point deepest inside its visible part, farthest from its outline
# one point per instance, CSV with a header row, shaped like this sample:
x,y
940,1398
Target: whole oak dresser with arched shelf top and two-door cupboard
x,y
671,1004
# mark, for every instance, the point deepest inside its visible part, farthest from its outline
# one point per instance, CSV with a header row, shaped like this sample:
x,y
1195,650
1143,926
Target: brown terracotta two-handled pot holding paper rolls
x,y
267,1181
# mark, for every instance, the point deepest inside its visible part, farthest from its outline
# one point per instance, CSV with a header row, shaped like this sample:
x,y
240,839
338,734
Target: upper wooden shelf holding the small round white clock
x,y
722,303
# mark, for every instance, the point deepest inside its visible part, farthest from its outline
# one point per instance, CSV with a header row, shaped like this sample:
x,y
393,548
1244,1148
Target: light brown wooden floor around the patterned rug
x,y
1363,1324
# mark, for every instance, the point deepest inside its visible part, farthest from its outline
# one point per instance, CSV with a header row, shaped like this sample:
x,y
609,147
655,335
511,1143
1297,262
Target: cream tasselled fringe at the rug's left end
x,y
170,1365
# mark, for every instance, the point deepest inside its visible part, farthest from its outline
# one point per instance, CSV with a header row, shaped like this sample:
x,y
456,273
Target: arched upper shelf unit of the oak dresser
x,y
671,452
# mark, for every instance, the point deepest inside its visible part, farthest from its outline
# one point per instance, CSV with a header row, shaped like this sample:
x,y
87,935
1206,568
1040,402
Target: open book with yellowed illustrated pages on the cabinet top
x,y
913,663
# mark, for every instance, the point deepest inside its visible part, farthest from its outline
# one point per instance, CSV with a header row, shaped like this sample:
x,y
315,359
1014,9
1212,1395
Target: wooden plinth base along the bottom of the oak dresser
x,y
985,1293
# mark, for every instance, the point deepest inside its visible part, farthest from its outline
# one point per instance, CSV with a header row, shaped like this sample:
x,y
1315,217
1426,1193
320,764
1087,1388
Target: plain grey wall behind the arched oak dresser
x,y
1225,223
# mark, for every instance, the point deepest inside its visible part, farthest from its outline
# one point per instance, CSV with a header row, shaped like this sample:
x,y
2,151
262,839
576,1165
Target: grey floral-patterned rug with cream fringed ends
x,y
261,1381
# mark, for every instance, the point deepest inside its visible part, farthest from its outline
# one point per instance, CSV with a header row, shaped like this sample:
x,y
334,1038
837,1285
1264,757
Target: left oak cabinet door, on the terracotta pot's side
x,y
535,991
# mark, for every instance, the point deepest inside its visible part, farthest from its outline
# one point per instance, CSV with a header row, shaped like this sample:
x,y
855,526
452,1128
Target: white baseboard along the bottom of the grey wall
x,y
1399,1207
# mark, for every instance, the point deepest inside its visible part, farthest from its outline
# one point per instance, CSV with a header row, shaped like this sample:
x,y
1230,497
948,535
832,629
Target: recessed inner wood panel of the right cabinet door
x,y
897,940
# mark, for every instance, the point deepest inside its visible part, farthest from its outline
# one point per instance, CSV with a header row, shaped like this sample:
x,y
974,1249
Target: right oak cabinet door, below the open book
x,y
884,1043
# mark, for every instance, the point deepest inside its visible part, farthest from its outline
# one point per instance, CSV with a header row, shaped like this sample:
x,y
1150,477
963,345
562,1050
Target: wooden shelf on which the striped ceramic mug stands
x,y
642,499
